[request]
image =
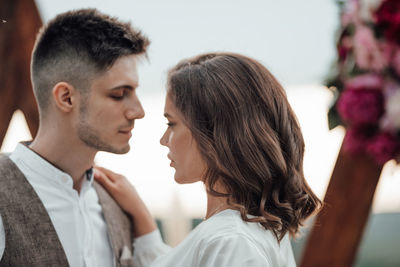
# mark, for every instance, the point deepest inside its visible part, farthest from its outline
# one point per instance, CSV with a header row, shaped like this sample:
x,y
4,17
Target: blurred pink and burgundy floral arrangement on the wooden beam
x,y
366,78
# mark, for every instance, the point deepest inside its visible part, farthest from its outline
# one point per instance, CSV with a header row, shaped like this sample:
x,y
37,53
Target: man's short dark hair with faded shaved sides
x,y
78,45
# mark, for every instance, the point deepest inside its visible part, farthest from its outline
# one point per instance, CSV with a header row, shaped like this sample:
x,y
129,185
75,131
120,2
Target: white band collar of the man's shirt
x,y
44,168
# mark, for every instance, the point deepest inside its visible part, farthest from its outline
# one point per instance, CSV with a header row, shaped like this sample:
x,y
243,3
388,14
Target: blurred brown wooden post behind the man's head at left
x,y
19,24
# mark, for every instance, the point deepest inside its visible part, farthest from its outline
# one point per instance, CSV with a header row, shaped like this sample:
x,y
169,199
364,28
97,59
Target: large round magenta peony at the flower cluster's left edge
x,y
361,106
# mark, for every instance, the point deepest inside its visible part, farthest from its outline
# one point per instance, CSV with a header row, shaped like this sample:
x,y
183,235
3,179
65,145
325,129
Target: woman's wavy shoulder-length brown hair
x,y
249,137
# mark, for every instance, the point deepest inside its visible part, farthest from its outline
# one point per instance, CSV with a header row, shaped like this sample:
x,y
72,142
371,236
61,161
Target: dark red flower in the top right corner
x,y
388,19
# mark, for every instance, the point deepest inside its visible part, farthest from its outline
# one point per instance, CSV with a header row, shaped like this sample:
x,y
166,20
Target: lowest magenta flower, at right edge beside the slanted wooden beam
x,y
383,147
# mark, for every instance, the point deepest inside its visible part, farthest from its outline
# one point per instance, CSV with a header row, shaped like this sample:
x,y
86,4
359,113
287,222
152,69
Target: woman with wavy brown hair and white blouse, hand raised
x,y
231,127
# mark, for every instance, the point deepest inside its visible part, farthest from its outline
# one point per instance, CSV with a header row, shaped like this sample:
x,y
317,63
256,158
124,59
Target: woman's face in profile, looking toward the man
x,y
183,151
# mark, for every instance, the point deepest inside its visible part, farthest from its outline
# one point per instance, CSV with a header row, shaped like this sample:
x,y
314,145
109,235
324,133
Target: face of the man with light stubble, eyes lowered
x,y
108,113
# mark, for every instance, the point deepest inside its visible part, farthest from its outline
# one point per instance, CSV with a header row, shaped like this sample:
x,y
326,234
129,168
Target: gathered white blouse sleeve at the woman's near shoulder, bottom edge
x,y
232,251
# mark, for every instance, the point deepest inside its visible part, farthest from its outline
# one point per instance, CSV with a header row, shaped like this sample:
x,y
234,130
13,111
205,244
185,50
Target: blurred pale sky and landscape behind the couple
x,y
295,40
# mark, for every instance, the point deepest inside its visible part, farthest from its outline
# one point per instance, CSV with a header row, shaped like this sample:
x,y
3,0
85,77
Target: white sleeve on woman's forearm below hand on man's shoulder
x,y
147,248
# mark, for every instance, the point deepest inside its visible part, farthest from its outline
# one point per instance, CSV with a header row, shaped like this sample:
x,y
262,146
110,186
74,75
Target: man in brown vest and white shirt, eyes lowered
x,y
51,212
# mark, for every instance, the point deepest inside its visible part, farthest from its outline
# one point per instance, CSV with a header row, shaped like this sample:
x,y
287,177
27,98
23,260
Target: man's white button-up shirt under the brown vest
x,y
77,218
